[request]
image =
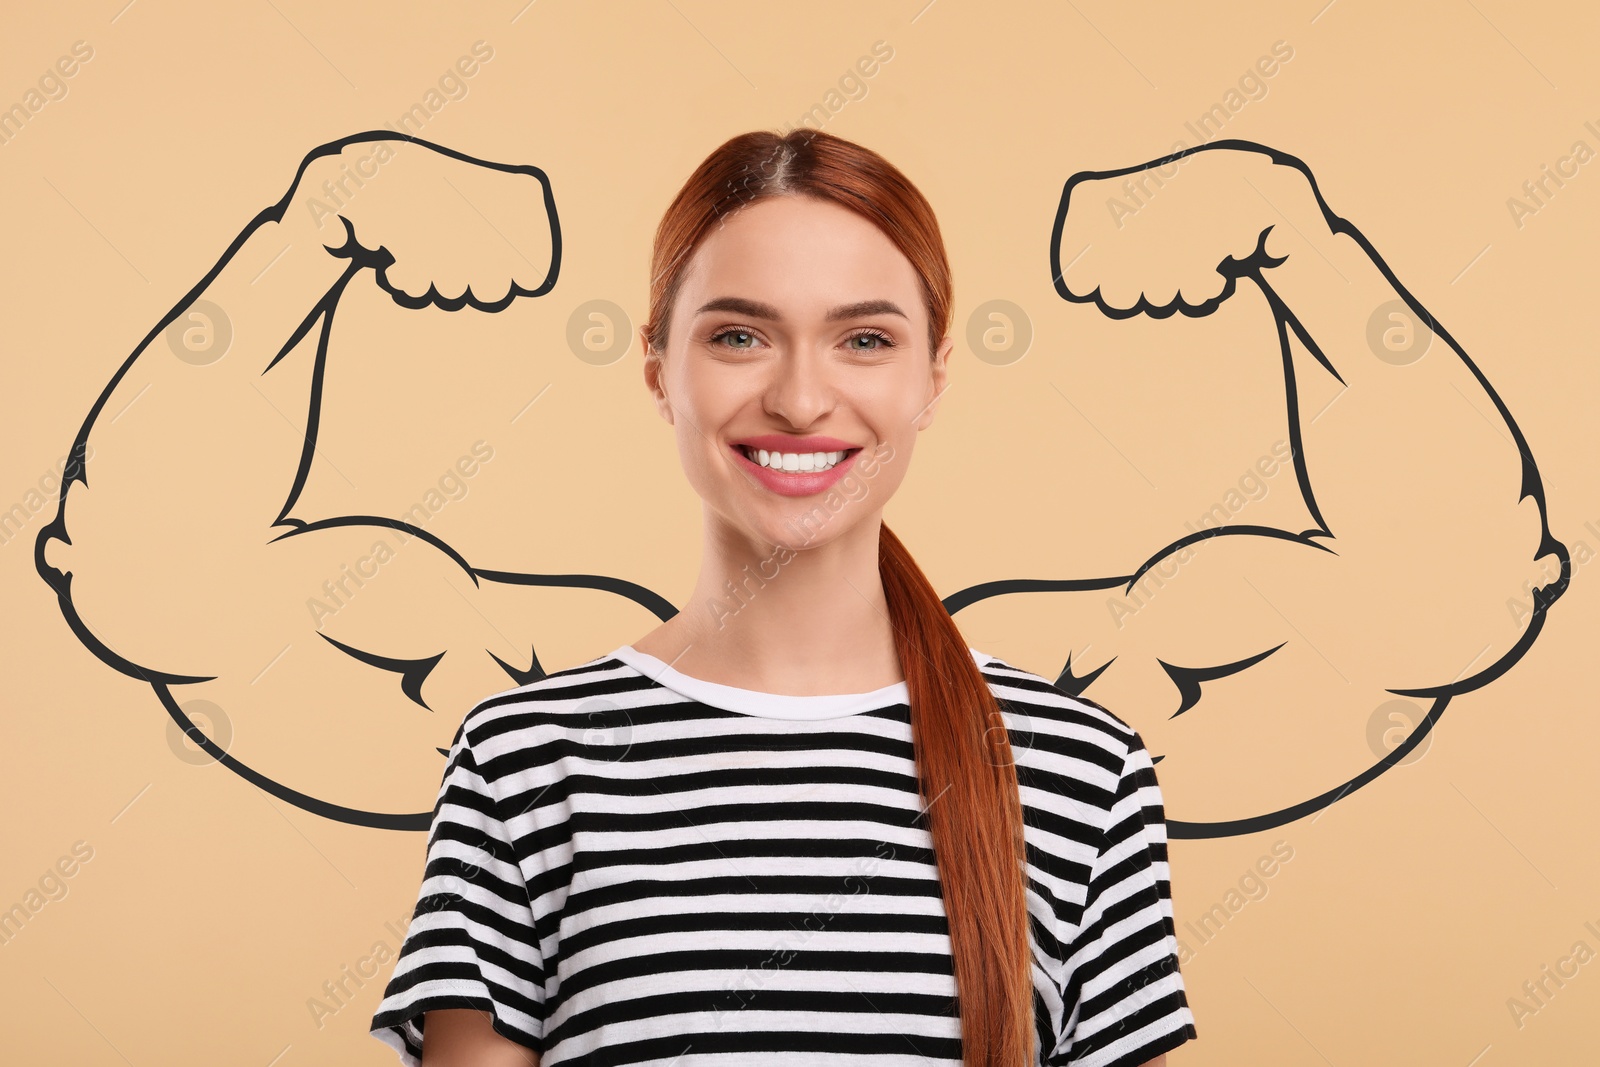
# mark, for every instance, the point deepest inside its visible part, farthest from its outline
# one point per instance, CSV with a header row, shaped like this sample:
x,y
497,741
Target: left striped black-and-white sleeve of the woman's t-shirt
x,y
471,941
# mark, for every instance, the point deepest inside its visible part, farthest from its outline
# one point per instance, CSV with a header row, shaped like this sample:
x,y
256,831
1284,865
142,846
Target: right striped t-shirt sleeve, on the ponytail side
x,y
1126,996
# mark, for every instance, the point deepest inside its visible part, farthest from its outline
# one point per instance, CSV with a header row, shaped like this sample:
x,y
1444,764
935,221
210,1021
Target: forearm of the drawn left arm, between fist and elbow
x,y
193,462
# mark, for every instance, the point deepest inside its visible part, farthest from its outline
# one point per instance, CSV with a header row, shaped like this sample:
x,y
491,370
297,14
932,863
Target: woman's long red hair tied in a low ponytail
x,y
962,749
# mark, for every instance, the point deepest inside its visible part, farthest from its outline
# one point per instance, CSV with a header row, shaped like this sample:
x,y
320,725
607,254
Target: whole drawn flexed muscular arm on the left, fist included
x,y
183,554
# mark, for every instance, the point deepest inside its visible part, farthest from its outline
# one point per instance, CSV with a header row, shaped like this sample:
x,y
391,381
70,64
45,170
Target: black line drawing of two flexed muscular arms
x,y
414,673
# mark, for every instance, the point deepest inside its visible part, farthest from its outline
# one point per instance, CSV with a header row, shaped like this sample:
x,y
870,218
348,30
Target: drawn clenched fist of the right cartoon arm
x,y
1177,233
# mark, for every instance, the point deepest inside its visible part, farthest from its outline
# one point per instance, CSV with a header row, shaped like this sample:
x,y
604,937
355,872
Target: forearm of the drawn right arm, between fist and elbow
x,y
1417,450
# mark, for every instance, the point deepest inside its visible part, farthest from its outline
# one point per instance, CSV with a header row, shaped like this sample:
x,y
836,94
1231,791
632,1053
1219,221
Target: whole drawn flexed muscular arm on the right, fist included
x,y
1273,671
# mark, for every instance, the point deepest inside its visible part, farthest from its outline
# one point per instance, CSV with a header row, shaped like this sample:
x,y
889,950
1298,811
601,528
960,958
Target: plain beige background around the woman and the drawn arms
x,y
210,916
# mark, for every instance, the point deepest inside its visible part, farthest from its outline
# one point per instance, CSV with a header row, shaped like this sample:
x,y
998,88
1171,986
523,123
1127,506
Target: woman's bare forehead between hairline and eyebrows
x,y
804,257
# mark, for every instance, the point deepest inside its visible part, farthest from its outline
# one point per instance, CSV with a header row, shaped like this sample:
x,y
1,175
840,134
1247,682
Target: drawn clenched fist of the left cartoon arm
x,y
439,228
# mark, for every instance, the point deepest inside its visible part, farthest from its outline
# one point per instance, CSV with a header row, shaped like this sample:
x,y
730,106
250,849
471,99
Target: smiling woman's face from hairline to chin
x,y
799,329
